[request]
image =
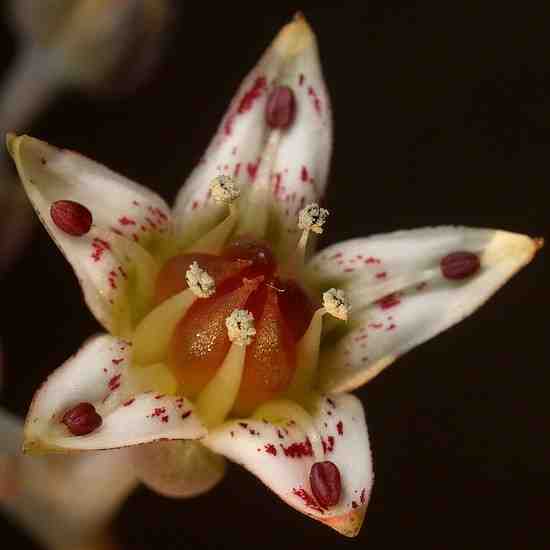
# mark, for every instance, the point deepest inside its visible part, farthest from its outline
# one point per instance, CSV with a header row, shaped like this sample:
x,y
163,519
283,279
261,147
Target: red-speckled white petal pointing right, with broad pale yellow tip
x,y
399,295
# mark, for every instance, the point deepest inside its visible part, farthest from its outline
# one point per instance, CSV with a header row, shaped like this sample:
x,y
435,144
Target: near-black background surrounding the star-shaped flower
x,y
442,116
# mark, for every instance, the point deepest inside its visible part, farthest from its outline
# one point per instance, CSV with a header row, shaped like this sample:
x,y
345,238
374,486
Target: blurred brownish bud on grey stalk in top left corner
x,y
81,43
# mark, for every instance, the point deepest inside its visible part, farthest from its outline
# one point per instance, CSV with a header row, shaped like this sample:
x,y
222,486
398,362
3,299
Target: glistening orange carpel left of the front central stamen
x,y
200,341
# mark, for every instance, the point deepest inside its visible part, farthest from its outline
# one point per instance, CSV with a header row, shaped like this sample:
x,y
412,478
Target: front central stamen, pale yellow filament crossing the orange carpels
x,y
218,397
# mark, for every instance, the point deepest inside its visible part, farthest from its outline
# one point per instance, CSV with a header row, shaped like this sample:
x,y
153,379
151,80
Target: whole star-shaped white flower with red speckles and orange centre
x,y
215,346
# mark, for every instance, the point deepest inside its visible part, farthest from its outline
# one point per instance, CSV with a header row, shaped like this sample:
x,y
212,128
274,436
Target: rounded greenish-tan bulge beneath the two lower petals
x,y
178,468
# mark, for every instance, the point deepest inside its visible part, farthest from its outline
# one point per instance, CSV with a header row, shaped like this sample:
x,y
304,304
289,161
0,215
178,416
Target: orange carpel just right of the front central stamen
x,y
270,358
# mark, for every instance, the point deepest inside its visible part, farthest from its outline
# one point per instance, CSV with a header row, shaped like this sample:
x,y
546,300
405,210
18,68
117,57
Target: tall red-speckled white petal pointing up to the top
x,y
289,165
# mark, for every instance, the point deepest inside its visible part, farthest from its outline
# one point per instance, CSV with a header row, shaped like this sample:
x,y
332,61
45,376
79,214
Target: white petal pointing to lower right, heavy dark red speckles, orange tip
x,y
282,456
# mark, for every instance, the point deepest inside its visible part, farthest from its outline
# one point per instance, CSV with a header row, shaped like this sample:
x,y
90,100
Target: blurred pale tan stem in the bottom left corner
x,y
62,501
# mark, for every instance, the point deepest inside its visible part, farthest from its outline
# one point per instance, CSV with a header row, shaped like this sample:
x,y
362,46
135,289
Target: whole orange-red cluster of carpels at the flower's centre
x,y
246,278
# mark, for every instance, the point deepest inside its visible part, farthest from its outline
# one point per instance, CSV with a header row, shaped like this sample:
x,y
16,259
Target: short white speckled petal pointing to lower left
x,y
100,374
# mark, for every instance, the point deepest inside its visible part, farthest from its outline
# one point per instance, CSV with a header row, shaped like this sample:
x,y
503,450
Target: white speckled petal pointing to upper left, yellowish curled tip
x,y
122,212
